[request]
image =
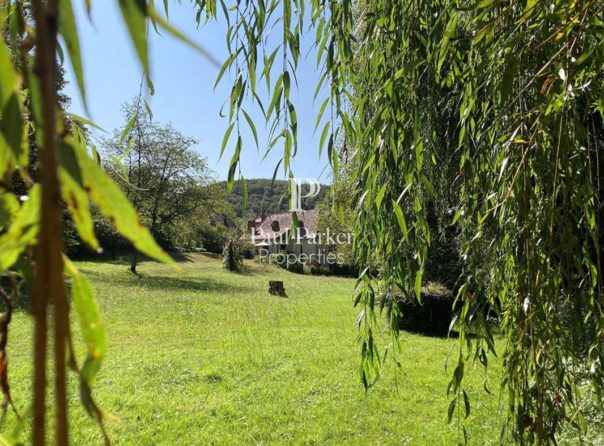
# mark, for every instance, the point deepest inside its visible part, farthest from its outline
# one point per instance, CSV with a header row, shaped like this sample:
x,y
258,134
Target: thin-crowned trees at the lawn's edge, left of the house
x,y
171,187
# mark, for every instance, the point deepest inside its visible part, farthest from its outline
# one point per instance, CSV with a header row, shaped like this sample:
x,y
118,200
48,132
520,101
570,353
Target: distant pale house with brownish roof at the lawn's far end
x,y
273,233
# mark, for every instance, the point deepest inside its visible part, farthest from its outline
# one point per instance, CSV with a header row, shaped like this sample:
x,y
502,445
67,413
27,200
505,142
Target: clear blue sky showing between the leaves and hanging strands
x,y
184,93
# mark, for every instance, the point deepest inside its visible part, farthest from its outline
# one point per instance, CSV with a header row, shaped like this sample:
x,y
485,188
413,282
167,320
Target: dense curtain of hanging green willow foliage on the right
x,y
490,111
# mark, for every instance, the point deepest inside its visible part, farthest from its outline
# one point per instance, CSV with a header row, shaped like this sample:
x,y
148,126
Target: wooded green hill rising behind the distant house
x,y
264,195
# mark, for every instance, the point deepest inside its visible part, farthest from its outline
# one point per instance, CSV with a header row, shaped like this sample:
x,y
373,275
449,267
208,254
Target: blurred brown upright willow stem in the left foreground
x,y
49,286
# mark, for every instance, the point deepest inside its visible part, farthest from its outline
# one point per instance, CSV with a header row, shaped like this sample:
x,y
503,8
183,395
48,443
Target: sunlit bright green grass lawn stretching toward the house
x,y
202,356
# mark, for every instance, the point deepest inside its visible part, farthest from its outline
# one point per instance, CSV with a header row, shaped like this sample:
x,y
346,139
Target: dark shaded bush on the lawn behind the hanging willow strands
x,y
432,316
